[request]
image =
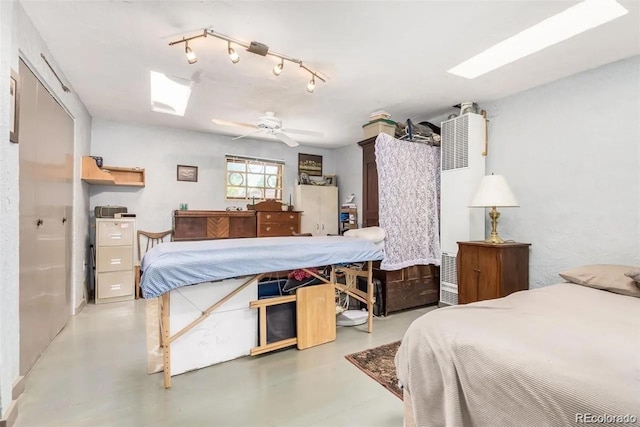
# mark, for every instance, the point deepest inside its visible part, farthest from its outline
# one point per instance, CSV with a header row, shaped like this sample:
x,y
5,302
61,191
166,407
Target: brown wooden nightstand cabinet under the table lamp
x,y
487,271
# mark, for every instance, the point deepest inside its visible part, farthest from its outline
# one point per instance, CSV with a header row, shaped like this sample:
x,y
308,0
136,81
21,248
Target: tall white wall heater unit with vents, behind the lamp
x,y
462,165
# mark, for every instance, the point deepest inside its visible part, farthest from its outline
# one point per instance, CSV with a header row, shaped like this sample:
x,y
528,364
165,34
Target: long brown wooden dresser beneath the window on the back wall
x,y
206,225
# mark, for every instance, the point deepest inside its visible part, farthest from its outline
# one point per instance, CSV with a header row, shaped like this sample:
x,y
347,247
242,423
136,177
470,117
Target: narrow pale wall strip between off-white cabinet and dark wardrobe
x,y
349,170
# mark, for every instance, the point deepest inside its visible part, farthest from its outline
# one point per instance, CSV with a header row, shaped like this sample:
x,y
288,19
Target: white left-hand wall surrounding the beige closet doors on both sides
x,y
20,39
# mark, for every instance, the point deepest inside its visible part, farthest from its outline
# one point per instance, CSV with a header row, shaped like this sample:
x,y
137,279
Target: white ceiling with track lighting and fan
x,y
387,55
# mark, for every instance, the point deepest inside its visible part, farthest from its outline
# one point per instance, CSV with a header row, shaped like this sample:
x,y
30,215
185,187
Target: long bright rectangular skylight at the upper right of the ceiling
x,y
575,20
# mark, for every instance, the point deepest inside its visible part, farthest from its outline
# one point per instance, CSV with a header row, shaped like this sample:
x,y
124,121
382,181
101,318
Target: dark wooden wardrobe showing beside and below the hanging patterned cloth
x,y
410,287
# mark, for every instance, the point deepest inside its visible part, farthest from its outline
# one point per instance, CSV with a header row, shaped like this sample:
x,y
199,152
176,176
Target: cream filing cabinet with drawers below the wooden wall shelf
x,y
114,259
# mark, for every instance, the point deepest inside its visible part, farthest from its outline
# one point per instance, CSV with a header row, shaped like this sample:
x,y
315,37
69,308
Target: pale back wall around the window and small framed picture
x,y
159,150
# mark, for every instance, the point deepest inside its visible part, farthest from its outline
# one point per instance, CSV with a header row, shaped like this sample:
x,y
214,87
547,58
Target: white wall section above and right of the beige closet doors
x,y
31,45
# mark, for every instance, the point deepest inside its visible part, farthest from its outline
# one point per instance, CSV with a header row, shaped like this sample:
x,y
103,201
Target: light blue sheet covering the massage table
x,y
175,264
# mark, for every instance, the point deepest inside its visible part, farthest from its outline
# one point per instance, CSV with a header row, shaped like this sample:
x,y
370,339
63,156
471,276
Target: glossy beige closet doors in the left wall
x,y
46,189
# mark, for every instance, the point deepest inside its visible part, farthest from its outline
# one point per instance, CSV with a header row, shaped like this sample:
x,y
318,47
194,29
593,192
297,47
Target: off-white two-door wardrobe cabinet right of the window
x,y
319,204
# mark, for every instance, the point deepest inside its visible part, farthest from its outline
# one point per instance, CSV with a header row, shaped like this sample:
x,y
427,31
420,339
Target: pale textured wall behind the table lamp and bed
x,y
570,151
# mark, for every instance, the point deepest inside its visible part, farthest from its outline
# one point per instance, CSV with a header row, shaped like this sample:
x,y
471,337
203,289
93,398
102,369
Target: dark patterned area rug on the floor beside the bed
x,y
378,364
